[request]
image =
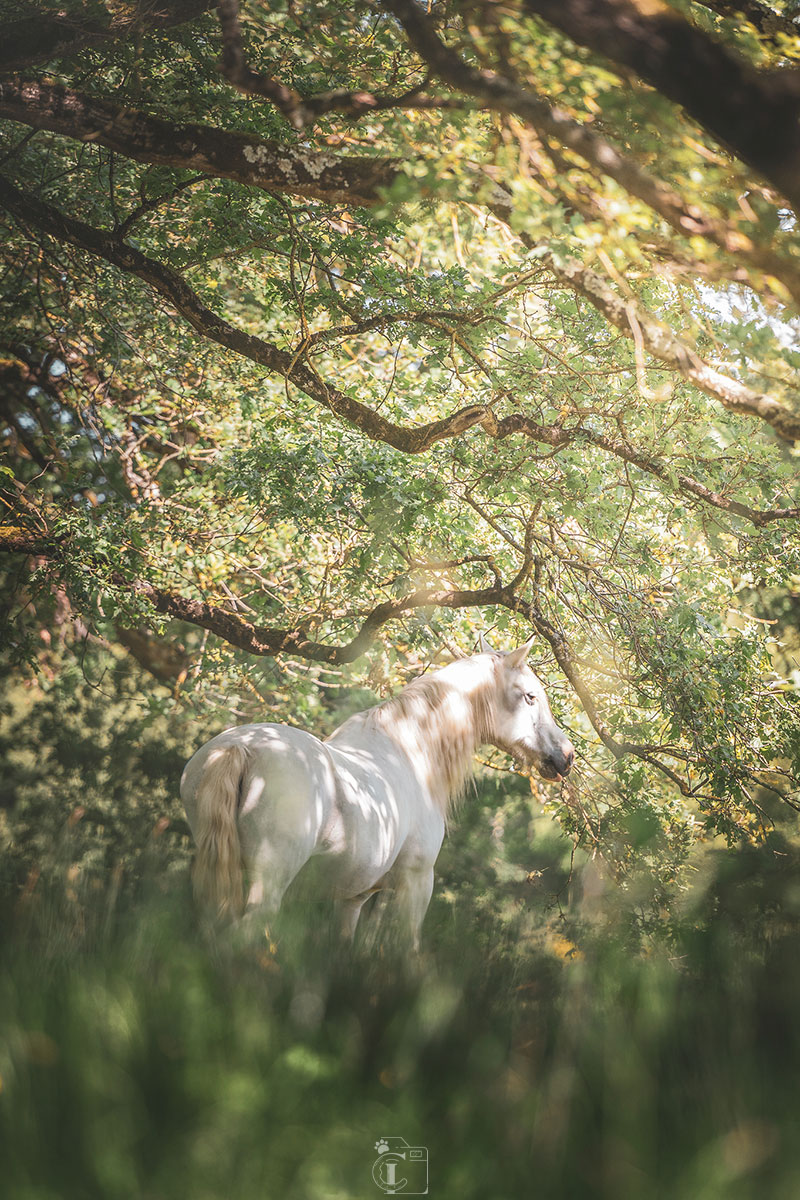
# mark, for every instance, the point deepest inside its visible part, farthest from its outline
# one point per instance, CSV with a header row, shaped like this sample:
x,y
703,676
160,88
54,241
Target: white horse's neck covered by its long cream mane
x,y
440,721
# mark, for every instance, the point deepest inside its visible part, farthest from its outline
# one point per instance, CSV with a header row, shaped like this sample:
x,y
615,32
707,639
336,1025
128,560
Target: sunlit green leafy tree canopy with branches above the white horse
x,y
330,327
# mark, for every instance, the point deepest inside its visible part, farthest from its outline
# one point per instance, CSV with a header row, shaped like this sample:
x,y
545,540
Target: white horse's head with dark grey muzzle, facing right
x,y
522,722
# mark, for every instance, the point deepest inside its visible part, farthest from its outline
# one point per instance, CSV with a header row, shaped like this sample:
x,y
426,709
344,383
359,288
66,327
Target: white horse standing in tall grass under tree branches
x,y
370,805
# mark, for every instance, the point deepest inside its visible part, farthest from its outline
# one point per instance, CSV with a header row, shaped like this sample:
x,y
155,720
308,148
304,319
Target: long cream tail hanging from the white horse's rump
x,y
218,873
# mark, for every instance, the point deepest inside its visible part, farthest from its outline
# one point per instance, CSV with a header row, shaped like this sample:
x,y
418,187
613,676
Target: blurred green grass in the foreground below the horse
x,y
139,1060
